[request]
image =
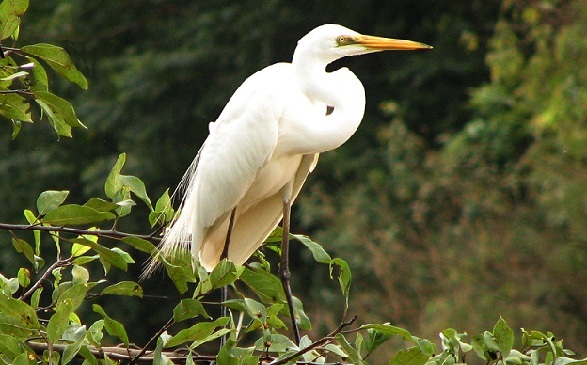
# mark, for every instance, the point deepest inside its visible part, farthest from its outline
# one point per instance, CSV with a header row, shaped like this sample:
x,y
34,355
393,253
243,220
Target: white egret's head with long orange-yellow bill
x,y
332,41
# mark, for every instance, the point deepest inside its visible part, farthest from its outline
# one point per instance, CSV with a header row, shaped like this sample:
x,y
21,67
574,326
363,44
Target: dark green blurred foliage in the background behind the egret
x,y
462,196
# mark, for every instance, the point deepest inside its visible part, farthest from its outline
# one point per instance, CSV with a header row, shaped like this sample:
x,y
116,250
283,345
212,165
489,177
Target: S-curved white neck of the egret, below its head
x,y
339,89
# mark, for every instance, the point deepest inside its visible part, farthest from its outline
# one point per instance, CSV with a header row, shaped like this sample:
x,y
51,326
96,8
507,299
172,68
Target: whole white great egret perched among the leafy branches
x,y
265,143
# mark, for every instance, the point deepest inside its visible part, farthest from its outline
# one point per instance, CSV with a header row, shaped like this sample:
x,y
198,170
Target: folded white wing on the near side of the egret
x,y
241,141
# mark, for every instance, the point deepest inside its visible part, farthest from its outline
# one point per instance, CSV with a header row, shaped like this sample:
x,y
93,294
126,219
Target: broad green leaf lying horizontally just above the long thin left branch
x,y
74,214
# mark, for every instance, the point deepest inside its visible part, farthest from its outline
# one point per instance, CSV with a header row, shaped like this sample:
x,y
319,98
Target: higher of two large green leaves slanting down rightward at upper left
x,y
58,59
